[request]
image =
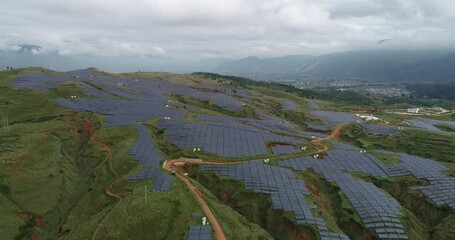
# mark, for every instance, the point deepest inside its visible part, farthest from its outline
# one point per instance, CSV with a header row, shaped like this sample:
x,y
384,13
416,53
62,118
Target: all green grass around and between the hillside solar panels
x,y
64,179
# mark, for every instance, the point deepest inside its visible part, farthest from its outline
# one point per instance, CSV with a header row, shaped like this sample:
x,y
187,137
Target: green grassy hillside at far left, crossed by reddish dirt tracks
x,y
62,179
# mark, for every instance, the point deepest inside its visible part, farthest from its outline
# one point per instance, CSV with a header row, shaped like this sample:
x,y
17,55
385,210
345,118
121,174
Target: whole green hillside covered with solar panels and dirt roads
x,y
89,154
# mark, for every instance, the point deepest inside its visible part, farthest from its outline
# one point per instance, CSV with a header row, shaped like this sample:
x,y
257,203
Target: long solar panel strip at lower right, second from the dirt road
x,y
376,210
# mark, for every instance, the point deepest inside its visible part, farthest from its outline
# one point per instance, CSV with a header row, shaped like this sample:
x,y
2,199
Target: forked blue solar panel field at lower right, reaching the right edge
x,y
376,209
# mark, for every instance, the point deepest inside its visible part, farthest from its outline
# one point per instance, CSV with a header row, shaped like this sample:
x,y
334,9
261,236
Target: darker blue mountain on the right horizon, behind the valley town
x,y
372,65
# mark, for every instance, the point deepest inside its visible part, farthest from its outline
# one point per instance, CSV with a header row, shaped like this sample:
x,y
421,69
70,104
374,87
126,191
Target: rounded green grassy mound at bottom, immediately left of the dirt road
x,y
165,216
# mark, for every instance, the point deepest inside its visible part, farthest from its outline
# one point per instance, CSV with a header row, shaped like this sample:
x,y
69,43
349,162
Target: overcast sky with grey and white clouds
x,y
198,29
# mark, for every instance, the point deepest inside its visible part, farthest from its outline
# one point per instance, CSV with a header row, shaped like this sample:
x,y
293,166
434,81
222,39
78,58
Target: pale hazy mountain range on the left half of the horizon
x,y
28,55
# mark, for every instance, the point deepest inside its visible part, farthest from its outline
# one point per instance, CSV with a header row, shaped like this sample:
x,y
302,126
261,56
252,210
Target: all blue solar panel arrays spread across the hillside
x,y
241,137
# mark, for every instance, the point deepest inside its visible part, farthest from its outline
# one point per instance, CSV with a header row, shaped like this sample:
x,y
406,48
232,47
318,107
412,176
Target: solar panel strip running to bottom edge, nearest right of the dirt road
x,y
287,192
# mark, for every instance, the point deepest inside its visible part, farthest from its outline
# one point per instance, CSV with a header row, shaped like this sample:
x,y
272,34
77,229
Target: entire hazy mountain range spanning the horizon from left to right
x,y
416,66
